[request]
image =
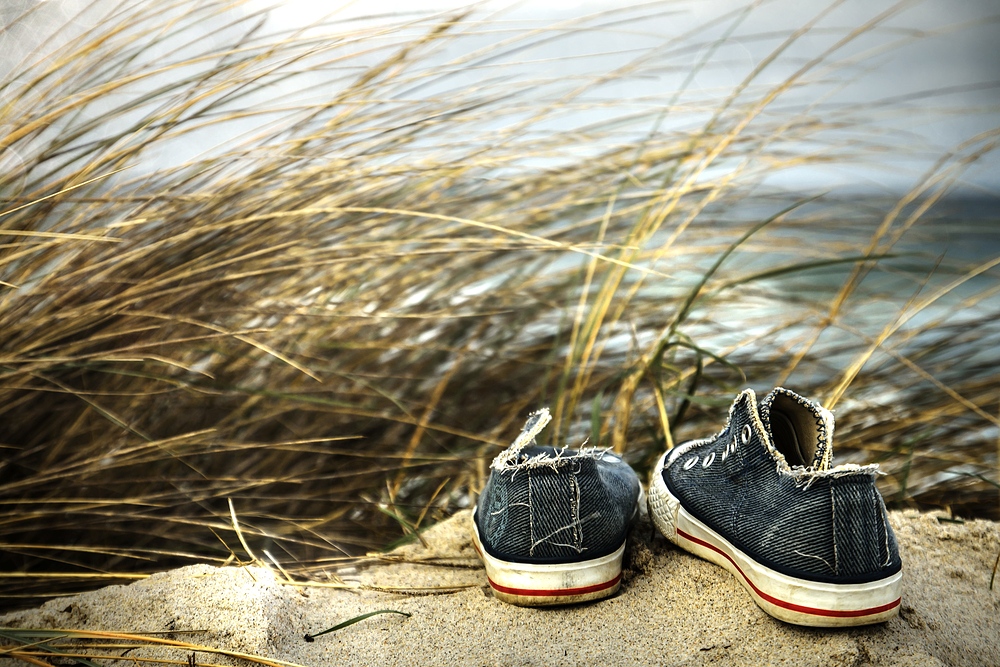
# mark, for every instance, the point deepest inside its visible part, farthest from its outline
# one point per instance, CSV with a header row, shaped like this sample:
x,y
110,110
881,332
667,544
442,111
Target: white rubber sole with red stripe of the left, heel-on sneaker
x,y
542,585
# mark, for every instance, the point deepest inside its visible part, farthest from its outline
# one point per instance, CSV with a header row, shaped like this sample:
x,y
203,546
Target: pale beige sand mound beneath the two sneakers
x,y
673,609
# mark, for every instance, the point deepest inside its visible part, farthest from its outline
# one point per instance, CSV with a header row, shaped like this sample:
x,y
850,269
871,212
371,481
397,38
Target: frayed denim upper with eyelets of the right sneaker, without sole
x,y
766,483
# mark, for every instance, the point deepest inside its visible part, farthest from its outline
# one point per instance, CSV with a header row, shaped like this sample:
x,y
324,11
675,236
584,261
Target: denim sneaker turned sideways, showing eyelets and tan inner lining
x,y
810,542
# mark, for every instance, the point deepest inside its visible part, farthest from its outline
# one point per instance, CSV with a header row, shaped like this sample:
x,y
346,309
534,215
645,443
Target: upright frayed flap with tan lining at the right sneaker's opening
x,y
800,429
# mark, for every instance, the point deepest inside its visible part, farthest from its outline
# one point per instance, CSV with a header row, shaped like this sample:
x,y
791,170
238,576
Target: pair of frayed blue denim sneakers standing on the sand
x,y
809,541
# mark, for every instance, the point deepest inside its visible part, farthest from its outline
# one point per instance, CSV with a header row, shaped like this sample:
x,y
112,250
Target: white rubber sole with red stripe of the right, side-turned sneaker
x,y
789,599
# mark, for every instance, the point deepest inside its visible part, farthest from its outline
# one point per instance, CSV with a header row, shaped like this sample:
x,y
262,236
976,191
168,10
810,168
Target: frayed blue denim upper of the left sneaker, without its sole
x,y
548,505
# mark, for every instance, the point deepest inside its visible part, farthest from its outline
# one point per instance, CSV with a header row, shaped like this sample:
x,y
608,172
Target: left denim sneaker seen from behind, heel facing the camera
x,y
550,524
